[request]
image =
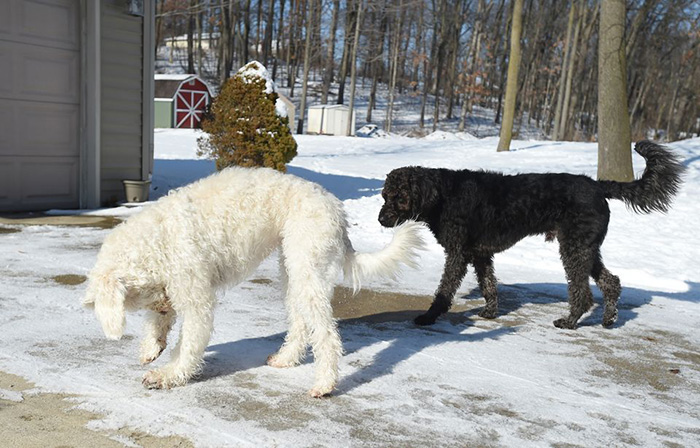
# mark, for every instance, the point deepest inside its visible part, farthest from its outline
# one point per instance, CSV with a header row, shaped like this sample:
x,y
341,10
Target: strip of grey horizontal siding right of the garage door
x,y
121,97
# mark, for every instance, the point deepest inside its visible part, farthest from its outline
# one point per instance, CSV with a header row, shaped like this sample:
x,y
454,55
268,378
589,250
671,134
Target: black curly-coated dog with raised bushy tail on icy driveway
x,y
475,214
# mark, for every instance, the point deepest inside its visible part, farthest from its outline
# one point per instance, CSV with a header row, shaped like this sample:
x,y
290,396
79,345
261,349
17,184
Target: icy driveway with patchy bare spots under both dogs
x,y
515,381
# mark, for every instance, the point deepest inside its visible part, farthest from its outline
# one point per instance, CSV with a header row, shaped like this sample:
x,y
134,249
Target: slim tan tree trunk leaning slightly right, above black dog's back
x,y
512,82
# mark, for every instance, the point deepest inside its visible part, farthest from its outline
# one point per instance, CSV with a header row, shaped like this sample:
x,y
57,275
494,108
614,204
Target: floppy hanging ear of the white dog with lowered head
x,y
107,294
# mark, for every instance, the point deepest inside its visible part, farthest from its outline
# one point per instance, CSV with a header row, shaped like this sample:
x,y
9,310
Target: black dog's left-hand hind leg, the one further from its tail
x,y
578,264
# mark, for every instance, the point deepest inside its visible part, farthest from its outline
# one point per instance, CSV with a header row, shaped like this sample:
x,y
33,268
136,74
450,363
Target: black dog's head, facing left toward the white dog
x,y
409,193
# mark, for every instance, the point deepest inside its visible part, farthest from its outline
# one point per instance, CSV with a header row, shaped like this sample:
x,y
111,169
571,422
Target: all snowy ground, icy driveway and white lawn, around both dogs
x,y
513,381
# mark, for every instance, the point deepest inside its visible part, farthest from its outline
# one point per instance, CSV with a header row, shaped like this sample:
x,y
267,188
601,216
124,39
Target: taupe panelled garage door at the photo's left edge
x,y
39,104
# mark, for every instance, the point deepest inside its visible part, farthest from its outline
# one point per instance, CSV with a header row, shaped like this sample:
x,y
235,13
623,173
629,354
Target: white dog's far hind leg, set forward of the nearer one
x,y
294,348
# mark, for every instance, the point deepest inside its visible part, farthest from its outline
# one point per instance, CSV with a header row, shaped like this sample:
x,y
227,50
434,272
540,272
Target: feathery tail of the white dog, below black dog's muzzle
x,y
387,262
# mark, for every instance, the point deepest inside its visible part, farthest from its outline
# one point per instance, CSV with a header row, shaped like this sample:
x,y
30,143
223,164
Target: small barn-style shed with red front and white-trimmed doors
x,y
180,101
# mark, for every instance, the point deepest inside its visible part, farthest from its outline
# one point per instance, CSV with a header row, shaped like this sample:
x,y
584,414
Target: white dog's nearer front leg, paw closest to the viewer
x,y
187,357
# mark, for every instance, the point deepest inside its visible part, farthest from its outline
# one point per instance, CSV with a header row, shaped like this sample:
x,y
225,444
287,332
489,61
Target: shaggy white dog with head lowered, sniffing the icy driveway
x,y
171,257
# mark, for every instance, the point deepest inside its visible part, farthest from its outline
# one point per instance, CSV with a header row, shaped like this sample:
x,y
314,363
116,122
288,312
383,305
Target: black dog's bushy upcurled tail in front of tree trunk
x,y
658,185
